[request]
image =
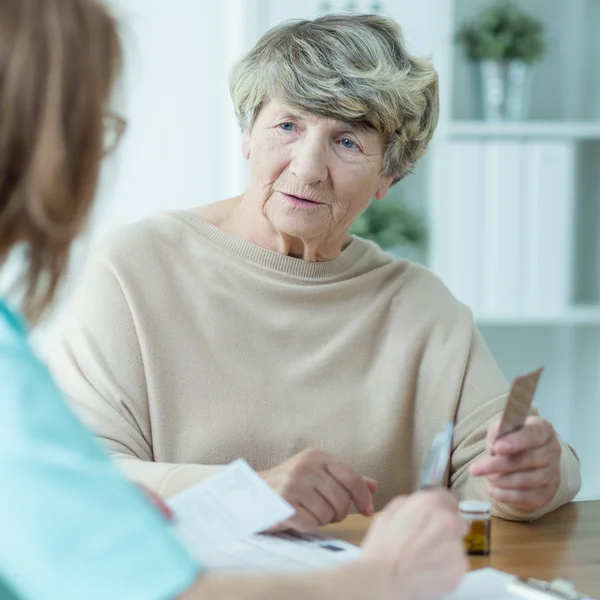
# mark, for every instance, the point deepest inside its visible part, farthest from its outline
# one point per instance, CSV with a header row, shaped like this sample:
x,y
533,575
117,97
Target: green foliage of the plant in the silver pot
x,y
503,32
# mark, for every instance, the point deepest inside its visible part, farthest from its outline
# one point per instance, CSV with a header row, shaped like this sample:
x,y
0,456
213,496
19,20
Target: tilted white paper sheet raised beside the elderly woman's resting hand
x,y
224,509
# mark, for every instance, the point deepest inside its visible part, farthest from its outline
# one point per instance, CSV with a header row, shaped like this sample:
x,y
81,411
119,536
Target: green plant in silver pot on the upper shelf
x,y
503,43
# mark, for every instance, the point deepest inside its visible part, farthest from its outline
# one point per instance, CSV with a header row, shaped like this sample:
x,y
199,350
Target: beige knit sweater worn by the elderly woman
x,y
185,348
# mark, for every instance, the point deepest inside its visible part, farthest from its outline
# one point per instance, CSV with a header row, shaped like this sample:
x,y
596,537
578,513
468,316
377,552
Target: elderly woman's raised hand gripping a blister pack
x,y
523,468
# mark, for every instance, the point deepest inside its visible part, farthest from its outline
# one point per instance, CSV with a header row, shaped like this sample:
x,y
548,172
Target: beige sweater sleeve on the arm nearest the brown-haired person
x,y
100,369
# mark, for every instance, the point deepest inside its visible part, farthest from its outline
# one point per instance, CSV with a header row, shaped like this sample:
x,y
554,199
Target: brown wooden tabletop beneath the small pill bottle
x,y
565,543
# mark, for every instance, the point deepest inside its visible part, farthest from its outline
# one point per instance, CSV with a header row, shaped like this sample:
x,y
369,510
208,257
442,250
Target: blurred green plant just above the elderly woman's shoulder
x,y
390,223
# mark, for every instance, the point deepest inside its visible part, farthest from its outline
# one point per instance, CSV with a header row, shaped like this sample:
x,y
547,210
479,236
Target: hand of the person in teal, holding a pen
x,y
417,543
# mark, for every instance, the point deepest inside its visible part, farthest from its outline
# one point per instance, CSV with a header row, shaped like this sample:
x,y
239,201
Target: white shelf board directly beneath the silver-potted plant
x,y
582,130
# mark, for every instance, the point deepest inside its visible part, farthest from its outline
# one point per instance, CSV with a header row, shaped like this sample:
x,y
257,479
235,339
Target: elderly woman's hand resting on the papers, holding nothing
x,y
320,488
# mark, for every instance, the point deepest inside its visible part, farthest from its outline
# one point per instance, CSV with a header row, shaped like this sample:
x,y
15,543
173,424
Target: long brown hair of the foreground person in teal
x,y
58,62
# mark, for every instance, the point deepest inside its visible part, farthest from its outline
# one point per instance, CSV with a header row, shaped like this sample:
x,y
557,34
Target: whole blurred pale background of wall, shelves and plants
x,y
505,208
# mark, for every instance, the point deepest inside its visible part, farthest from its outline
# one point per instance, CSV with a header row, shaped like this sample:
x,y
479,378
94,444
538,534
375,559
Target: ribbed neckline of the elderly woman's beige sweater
x,y
288,266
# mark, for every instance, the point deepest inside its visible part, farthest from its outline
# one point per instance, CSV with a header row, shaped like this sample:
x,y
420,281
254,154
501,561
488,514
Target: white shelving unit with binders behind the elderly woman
x,y
514,208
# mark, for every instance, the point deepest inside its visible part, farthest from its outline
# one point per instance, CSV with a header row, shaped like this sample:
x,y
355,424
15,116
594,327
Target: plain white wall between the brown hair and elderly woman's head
x,y
182,144
